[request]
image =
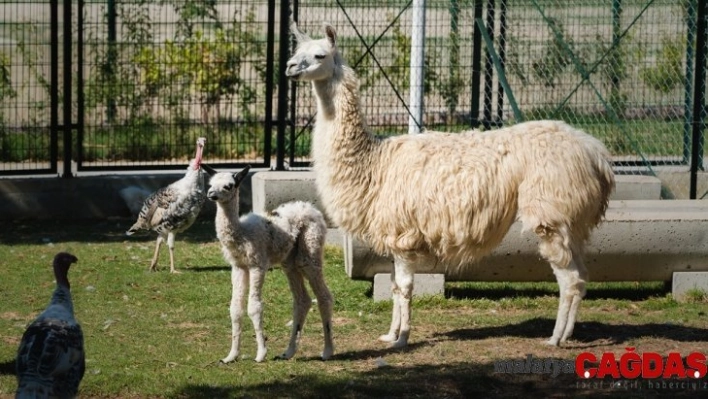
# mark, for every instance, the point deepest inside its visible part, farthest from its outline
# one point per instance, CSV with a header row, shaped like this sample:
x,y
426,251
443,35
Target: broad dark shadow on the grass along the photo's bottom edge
x,y
454,380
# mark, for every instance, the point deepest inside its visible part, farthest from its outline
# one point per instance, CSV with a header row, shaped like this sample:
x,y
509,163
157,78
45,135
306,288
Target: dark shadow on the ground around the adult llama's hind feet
x,y
585,332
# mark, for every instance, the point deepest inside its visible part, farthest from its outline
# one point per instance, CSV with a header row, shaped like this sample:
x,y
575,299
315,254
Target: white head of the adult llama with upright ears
x,y
314,59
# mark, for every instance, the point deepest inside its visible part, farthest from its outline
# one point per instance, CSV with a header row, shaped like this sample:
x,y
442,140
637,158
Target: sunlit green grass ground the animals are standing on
x,y
161,335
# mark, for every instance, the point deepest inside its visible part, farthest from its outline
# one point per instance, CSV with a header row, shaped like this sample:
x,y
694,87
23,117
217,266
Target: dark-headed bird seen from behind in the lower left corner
x,y
50,360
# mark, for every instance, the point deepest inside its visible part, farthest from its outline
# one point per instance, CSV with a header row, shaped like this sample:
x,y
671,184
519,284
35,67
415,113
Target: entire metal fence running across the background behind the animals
x,y
137,81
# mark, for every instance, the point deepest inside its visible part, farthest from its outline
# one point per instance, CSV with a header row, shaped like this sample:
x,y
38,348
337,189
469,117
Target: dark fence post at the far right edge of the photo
x,y
698,98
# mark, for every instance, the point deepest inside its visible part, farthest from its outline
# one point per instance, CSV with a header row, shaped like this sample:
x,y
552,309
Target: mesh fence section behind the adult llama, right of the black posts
x,y
621,70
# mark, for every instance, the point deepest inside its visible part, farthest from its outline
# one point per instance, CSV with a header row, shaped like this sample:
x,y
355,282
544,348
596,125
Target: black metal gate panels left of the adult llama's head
x,y
130,85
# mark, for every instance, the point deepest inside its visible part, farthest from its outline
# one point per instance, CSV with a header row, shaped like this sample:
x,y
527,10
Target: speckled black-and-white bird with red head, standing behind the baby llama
x,y
173,209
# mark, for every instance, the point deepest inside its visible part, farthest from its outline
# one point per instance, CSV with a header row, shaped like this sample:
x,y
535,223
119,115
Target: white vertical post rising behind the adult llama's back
x,y
415,118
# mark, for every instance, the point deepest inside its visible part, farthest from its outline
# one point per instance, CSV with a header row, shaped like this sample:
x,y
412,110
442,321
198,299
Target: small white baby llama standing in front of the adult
x,y
294,236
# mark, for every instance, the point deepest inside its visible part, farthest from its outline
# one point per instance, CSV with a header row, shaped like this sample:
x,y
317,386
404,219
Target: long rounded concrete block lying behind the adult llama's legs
x,y
638,241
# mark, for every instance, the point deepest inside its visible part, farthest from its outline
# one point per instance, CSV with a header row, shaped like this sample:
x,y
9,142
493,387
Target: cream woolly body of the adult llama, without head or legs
x,y
469,188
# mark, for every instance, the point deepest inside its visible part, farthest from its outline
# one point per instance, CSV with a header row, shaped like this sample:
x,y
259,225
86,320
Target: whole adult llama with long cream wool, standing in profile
x,y
451,197
